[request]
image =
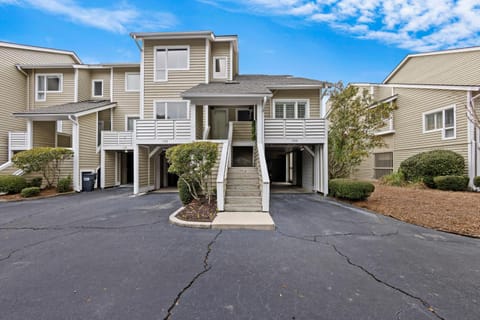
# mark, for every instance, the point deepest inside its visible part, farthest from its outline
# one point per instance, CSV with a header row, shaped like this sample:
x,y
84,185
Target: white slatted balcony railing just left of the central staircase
x,y
163,131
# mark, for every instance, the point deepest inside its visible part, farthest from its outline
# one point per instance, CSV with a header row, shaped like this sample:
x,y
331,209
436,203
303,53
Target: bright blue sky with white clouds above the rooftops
x,y
348,40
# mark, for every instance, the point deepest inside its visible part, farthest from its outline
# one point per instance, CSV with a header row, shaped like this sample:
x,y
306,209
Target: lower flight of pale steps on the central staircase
x,y
243,190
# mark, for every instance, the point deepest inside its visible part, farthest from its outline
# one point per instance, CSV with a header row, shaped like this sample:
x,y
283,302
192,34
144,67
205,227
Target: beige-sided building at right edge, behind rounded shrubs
x,y
433,92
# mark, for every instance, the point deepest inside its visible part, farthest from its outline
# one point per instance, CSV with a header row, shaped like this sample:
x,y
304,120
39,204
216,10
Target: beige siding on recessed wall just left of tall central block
x,y
128,103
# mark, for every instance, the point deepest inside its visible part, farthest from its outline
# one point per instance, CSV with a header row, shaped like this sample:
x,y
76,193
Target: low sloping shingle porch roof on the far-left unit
x,y
69,108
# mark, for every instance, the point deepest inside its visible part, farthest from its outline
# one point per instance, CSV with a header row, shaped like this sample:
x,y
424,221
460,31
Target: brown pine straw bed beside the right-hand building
x,y
455,212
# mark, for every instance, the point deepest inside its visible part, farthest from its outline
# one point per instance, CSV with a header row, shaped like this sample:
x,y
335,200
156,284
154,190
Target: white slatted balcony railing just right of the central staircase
x,y
294,130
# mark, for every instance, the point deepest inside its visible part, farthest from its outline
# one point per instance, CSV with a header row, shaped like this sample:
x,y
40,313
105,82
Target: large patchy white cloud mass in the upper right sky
x,y
418,25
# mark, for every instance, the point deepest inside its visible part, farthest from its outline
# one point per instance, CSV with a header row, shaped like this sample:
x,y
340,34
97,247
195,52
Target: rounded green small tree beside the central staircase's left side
x,y
193,163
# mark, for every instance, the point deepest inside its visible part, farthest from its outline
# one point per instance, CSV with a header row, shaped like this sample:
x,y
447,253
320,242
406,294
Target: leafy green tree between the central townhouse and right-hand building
x,y
354,118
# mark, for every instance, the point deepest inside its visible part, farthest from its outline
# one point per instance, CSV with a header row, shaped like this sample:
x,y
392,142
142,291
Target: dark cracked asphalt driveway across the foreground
x,y
106,255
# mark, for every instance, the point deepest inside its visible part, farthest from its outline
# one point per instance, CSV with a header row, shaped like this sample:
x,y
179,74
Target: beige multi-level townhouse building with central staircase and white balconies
x,y
120,118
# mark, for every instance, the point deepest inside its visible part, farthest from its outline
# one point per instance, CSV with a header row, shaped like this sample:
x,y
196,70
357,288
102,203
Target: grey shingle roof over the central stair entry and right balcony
x,y
253,84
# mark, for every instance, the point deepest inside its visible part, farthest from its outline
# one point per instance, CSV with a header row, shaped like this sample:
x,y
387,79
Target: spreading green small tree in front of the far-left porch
x,y
46,160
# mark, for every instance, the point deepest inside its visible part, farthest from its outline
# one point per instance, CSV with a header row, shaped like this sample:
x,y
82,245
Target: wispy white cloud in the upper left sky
x,y
120,19
